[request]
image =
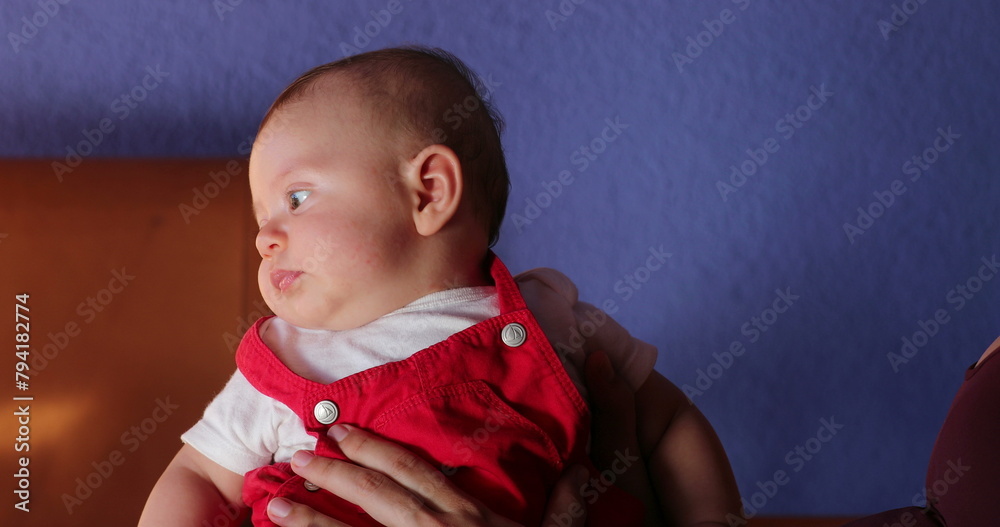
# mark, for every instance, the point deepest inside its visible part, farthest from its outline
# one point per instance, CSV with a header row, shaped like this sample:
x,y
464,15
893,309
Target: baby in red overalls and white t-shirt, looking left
x,y
379,185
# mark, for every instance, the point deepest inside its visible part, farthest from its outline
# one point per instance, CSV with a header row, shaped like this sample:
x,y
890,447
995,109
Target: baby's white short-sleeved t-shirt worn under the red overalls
x,y
243,429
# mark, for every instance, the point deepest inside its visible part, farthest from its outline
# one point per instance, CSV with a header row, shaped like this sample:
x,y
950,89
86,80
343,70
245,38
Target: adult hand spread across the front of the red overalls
x,y
398,488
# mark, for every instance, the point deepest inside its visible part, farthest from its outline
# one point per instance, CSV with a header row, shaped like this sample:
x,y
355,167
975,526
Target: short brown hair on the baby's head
x,y
428,96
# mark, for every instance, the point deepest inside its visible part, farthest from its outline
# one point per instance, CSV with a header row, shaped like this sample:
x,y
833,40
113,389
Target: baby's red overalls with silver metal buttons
x,y
492,406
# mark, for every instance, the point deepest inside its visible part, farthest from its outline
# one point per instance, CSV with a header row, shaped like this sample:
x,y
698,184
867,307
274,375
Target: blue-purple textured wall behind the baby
x,y
647,107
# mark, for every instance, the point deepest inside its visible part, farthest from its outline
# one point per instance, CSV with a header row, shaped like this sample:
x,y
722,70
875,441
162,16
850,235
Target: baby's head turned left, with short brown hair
x,y
376,180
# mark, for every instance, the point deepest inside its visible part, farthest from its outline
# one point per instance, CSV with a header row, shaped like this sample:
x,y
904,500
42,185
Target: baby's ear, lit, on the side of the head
x,y
434,181
